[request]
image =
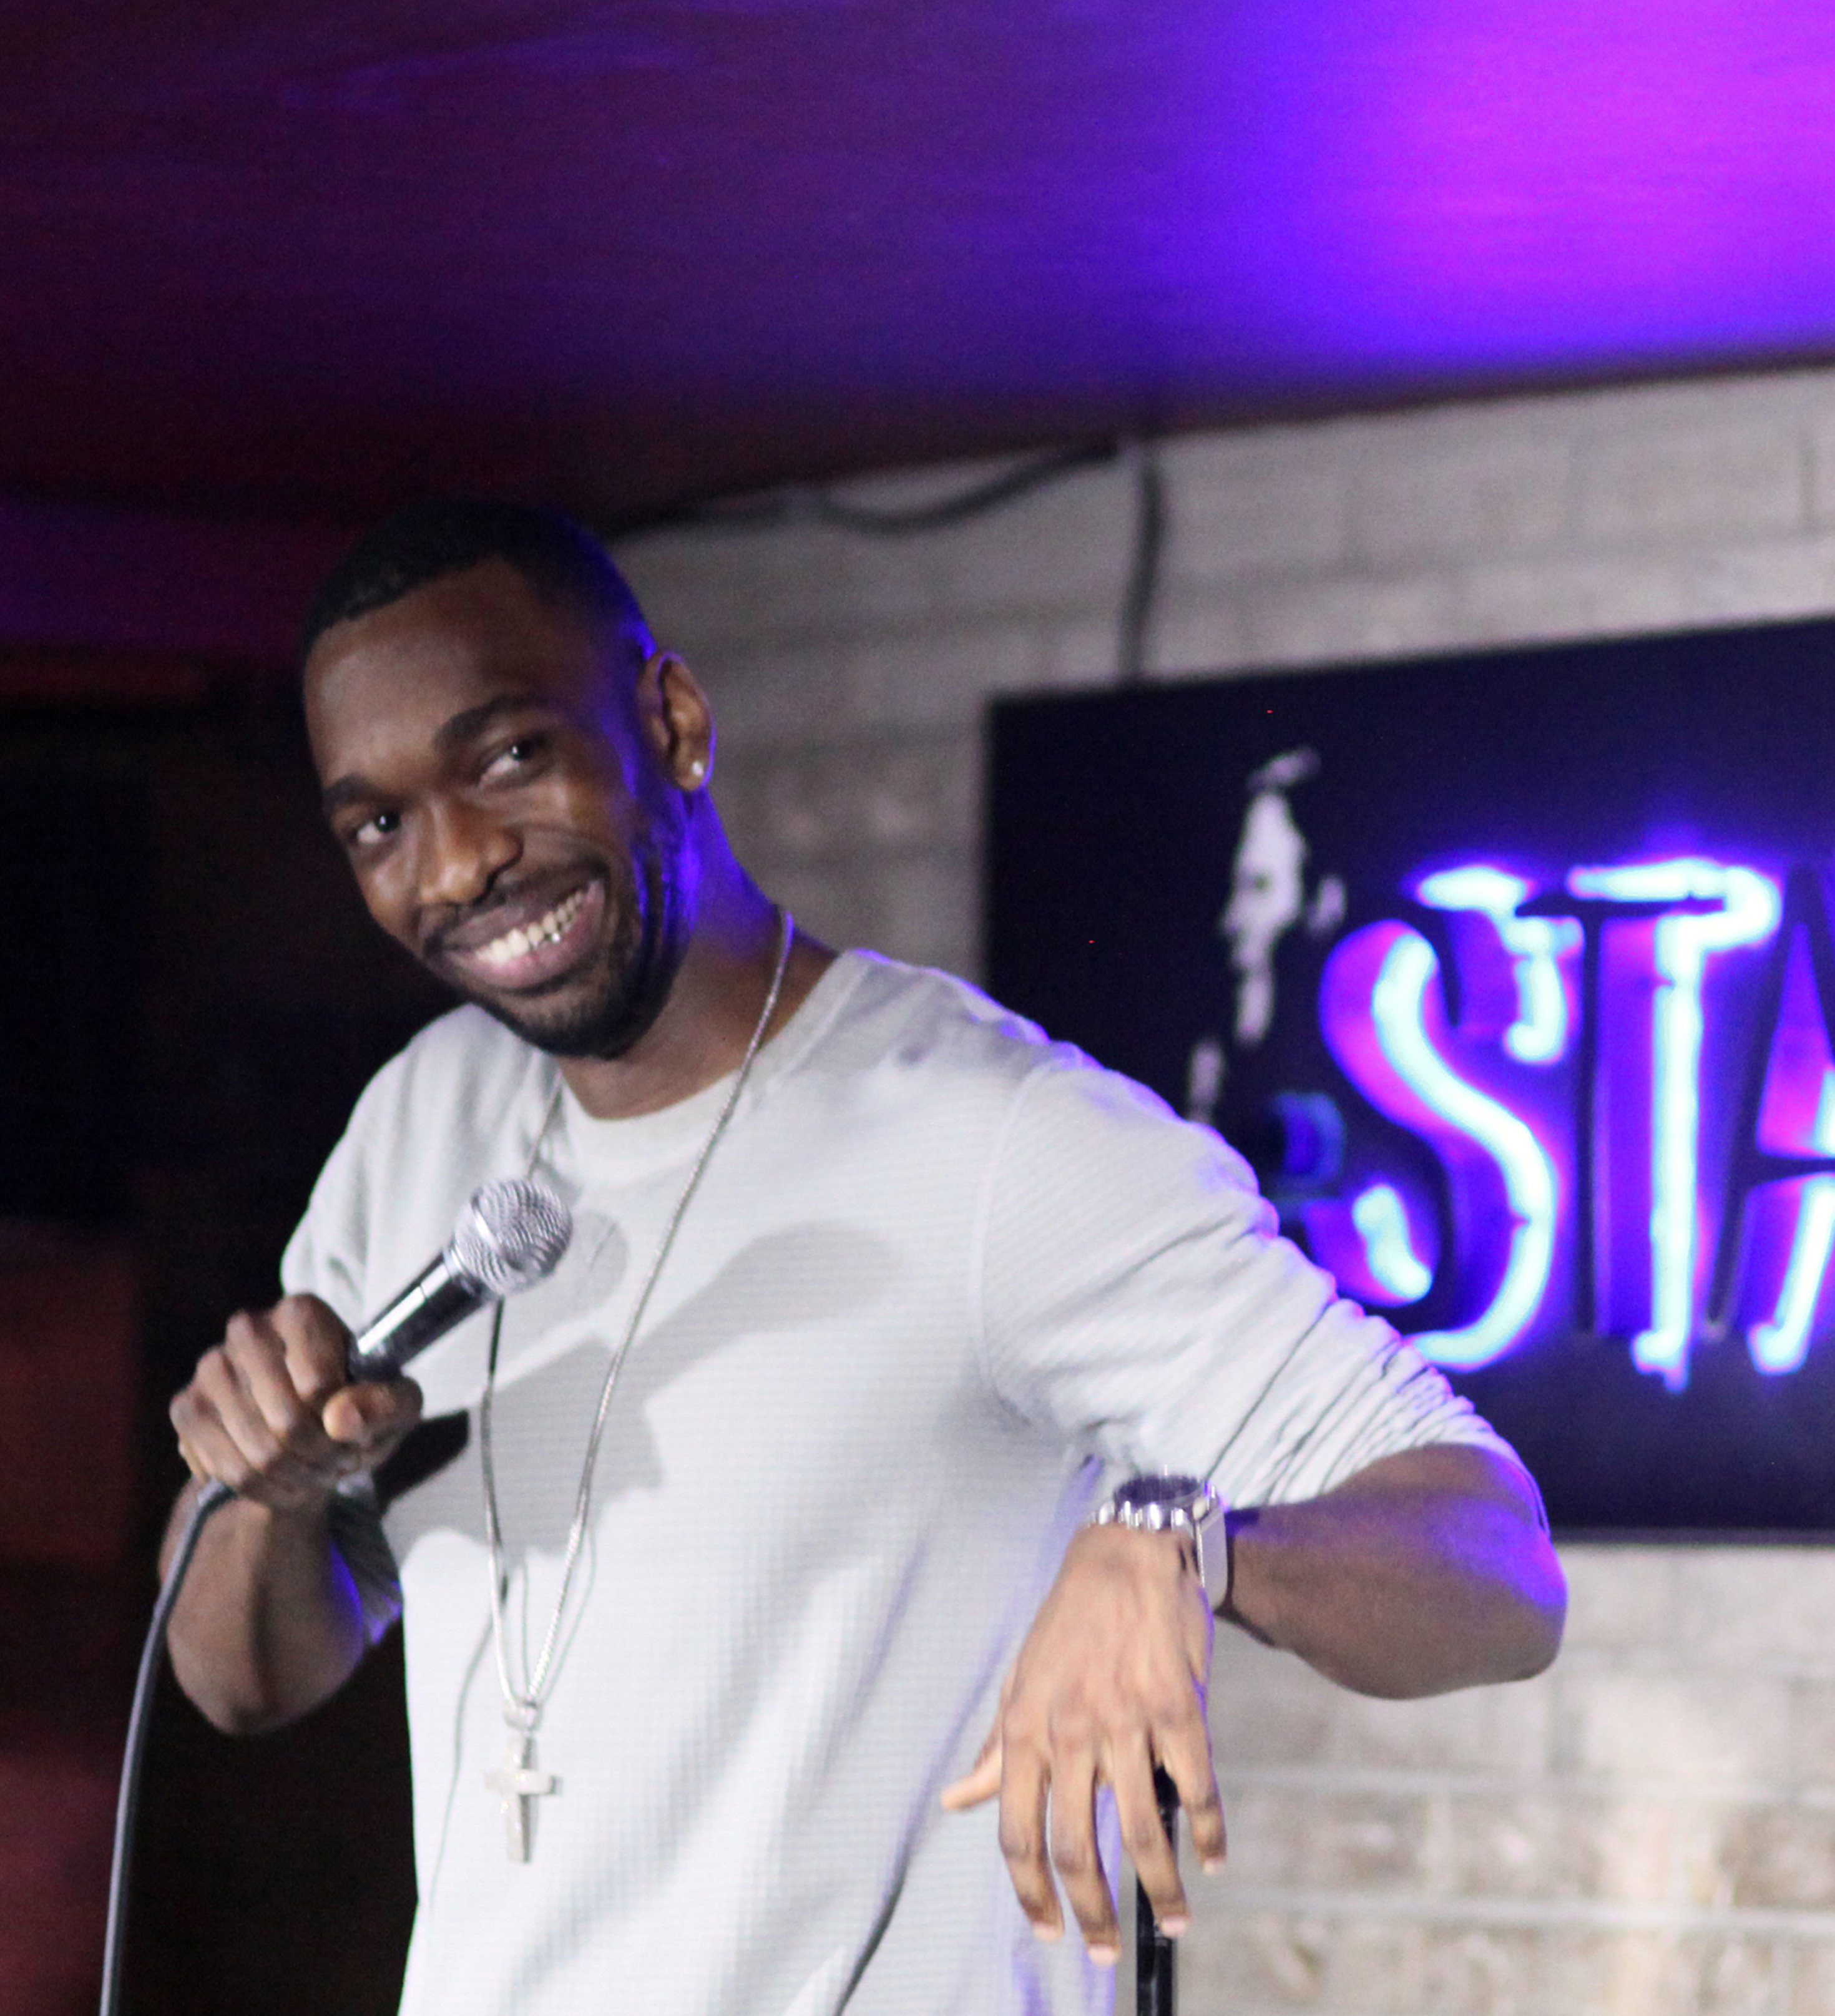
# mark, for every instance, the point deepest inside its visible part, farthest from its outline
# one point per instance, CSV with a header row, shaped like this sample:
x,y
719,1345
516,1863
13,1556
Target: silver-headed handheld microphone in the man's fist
x,y
509,1237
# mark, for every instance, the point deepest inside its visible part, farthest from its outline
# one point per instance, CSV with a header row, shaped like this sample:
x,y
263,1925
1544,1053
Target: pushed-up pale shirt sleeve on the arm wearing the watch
x,y
1138,1301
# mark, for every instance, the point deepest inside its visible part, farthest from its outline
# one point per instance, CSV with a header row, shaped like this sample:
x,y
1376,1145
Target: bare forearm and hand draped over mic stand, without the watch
x,y
1425,1571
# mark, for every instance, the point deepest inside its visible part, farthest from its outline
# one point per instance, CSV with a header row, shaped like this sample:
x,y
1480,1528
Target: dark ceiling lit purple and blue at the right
x,y
305,261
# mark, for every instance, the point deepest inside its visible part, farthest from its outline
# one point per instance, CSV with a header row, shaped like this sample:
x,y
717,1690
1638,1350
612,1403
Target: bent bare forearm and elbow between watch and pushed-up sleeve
x,y
1427,1571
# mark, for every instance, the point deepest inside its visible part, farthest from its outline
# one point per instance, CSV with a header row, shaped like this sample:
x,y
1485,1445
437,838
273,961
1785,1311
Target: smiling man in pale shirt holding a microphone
x,y
725,1549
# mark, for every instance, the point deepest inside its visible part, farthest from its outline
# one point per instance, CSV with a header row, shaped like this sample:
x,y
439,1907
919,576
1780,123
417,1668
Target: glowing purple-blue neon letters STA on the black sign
x,y
1572,1053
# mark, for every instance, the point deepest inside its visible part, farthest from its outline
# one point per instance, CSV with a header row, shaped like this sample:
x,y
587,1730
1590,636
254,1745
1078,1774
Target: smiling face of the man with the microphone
x,y
489,781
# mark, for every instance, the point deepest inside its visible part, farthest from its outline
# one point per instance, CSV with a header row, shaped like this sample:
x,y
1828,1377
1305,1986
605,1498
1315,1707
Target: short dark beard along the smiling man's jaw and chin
x,y
634,975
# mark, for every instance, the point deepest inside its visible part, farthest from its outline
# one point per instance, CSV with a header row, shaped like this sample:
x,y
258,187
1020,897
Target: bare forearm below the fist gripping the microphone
x,y
269,1624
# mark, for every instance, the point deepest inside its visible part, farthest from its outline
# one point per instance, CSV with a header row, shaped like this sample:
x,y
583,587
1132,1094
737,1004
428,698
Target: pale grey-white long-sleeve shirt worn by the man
x,y
939,1277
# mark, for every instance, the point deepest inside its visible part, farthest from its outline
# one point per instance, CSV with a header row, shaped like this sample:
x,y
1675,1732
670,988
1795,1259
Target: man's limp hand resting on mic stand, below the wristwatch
x,y
1110,1682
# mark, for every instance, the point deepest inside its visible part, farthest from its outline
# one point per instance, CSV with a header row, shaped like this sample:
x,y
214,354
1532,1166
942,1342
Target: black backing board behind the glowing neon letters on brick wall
x,y
1112,836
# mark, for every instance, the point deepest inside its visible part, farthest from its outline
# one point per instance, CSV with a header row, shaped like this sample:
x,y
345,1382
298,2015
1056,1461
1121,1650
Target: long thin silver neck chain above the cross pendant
x,y
523,1707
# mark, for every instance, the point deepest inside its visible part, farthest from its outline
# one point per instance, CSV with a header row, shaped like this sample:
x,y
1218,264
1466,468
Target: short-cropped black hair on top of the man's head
x,y
441,537
